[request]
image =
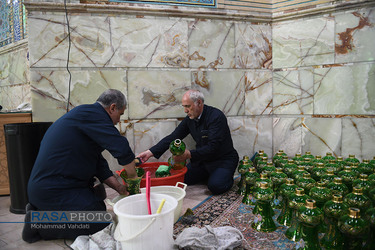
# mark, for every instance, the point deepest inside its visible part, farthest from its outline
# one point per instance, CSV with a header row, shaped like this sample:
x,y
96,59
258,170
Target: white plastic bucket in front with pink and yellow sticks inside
x,y
137,229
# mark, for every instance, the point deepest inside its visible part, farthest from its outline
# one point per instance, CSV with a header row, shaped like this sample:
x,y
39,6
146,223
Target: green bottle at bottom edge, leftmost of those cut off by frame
x,y
310,217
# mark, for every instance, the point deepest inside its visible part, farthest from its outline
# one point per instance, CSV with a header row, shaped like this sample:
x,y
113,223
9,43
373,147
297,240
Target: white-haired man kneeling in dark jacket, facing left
x,y
214,160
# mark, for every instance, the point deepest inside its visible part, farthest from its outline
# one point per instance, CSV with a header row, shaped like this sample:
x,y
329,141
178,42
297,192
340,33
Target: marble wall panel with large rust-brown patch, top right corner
x,y
355,35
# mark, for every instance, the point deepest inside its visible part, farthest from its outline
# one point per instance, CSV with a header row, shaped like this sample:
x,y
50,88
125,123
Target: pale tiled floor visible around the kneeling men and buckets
x,y
11,224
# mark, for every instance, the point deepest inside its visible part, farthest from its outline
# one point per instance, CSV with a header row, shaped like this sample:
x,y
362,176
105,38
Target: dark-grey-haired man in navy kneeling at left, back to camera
x,y
69,158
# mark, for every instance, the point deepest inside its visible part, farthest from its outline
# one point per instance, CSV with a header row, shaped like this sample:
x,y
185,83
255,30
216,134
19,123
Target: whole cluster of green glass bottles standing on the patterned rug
x,y
327,196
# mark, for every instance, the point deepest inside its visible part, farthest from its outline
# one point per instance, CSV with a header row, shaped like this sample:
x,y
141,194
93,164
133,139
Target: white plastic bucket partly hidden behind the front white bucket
x,y
175,191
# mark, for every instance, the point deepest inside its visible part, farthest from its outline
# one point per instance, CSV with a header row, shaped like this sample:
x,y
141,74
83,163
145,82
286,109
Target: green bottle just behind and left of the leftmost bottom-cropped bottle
x,y
294,232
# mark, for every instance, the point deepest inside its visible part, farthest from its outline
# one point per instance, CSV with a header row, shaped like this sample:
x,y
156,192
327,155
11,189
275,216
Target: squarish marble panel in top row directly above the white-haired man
x,y
211,44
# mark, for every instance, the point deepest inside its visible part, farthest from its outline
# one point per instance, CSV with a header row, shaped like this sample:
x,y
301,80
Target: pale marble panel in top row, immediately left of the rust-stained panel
x,y
303,42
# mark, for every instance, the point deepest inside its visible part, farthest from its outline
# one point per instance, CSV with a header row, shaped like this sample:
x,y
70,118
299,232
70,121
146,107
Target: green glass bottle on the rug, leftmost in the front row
x,y
263,221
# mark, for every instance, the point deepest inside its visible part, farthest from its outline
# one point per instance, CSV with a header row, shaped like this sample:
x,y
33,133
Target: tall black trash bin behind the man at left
x,y
22,141
